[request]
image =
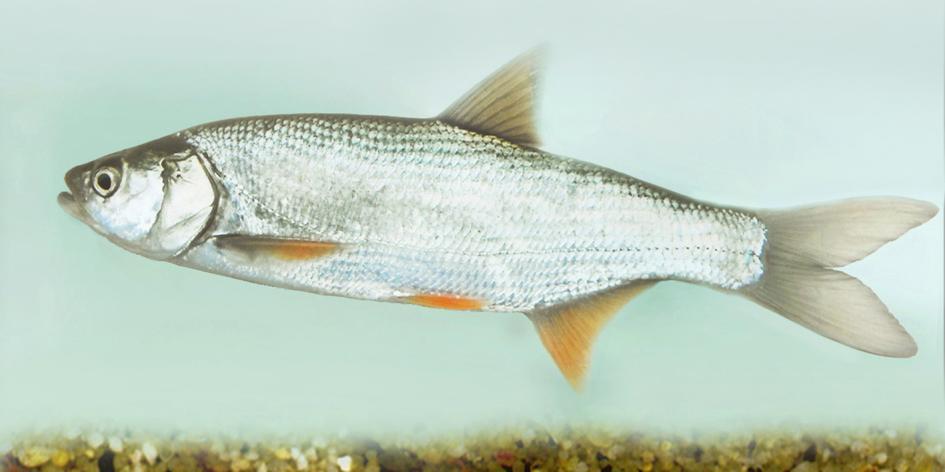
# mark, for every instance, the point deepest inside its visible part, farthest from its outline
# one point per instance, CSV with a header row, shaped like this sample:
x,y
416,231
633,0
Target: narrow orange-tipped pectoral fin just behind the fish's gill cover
x,y
275,248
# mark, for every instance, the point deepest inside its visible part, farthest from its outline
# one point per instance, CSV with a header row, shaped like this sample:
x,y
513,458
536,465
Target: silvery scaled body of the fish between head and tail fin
x,y
422,207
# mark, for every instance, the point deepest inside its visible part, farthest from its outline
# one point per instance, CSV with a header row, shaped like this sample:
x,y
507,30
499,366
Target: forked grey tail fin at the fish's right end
x,y
804,244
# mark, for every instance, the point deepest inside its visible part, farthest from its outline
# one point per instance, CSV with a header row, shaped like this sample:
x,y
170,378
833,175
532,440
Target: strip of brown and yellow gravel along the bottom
x,y
518,450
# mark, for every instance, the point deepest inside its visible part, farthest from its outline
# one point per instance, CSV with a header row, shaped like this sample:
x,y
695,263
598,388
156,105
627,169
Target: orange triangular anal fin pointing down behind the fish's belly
x,y
568,330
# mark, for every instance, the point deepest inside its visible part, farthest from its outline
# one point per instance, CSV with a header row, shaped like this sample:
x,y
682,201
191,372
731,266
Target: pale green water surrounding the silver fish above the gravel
x,y
749,103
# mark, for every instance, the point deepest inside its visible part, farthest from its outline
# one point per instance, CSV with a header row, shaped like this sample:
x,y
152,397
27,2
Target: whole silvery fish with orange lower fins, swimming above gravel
x,y
464,211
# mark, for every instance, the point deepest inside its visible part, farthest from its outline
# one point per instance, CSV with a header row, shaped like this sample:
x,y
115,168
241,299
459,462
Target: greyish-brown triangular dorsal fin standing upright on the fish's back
x,y
503,105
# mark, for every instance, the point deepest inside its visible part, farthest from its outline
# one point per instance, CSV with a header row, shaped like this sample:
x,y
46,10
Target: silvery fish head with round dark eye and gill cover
x,y
154,199
